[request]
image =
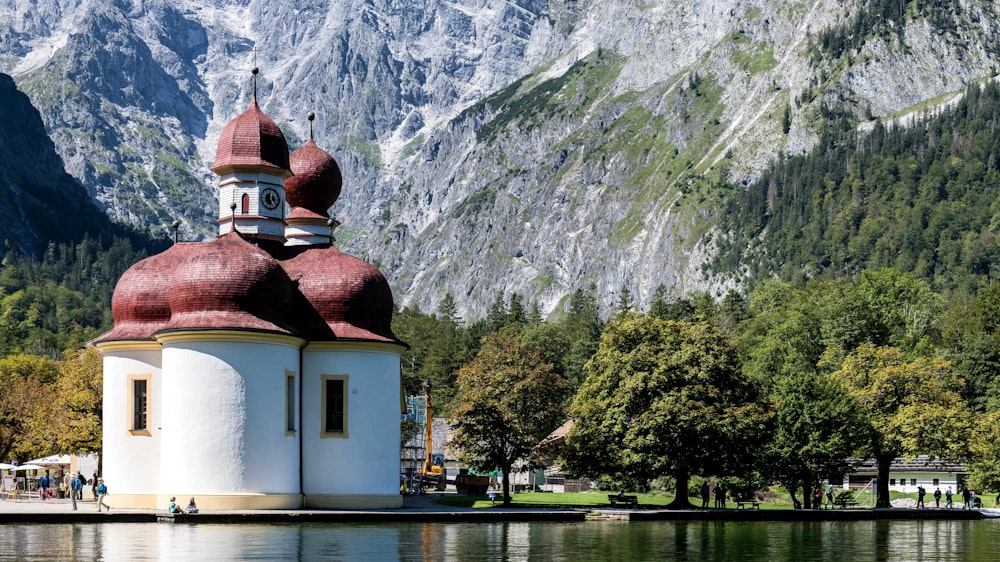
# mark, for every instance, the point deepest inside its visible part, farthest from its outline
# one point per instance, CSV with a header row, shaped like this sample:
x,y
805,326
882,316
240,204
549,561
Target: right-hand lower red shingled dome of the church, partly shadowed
x,y
348,297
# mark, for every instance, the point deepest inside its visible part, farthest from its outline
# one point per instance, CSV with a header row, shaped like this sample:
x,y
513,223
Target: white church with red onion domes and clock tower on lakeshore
x,y
258,370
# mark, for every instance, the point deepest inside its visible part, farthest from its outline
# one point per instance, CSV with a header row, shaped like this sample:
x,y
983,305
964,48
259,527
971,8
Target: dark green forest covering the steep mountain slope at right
x,y
923,199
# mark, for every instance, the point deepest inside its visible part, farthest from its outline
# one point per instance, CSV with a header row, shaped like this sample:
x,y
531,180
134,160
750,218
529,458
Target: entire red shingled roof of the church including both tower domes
x,y
314,292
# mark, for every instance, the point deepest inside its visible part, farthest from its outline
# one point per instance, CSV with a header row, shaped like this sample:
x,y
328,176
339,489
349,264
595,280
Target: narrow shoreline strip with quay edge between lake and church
x,y
424,509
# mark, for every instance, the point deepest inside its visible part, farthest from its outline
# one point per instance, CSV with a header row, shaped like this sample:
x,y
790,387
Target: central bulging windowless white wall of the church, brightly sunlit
x,y
225,432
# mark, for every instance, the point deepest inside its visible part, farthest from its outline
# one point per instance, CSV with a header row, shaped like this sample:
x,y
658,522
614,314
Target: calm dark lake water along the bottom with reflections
x,y
770,542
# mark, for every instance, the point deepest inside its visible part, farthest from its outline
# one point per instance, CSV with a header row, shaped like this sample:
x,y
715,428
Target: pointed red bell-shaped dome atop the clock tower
x,y
251,139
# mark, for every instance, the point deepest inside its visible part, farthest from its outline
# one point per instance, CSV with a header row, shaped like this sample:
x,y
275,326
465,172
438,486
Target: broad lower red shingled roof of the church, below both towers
x,y
321,294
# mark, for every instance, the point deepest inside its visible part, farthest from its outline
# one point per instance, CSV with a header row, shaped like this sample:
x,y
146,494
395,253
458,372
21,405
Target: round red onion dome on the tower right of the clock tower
x,y
316,182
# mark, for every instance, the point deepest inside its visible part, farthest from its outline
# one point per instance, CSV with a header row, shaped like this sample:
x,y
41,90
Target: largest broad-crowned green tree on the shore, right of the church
x,y
663,398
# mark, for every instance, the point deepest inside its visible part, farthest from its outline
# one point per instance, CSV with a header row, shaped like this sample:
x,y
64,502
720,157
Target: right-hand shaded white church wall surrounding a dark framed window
x,y
362,466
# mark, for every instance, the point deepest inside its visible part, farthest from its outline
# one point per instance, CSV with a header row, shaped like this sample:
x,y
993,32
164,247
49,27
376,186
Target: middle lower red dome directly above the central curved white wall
x,y
230,284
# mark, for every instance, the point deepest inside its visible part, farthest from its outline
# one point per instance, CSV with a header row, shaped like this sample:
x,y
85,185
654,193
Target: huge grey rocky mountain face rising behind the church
x,y
487,145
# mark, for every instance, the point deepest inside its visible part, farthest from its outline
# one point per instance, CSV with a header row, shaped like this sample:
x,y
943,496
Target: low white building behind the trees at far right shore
x,y
906,475
